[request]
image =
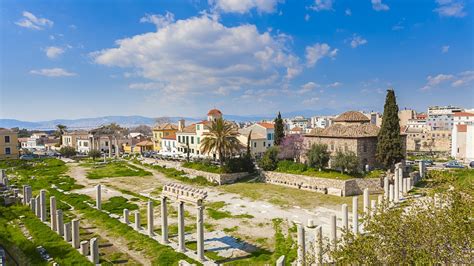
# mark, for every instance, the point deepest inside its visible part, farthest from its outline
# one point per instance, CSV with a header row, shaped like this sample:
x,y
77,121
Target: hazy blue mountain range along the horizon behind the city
x,y
133,121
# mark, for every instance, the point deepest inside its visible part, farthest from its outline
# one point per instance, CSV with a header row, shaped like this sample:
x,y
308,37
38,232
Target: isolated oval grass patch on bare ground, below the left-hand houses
x,y
115,169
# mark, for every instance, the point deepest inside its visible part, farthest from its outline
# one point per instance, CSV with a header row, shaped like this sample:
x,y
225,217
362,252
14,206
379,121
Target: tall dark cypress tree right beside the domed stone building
x,y
389,141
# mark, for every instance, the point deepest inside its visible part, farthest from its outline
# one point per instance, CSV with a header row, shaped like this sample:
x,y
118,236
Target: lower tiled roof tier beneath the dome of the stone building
x,y
346,131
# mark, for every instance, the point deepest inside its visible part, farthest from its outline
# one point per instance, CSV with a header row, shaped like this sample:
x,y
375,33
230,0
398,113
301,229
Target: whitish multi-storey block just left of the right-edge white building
x,y
441,117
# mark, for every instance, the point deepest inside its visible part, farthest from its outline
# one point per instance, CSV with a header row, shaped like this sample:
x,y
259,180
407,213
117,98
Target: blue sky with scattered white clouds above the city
x,y
89,58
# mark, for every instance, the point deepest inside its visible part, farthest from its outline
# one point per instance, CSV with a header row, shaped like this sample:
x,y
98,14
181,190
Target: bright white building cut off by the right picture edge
x,y
462,145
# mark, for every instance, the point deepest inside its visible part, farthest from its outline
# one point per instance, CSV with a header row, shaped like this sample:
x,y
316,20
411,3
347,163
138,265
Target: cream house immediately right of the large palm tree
x,y
262,137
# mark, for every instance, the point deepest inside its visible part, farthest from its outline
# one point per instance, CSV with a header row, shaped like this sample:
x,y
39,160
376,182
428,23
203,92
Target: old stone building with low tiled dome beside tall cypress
x,y
351,131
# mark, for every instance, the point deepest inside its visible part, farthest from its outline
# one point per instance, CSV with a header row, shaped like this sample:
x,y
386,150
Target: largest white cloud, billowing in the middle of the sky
x,y
201,55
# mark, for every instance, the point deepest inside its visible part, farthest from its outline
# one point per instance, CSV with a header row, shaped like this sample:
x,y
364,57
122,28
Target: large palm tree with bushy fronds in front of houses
x,y
221,139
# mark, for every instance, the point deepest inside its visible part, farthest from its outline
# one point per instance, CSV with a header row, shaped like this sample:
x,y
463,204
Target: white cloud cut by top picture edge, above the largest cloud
x,y
244,6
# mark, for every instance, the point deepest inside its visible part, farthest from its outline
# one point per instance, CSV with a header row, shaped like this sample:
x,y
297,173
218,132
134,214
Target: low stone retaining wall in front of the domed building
x,y
323,185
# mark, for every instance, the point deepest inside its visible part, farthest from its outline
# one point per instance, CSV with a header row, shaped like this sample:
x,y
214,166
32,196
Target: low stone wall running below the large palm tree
x,y
220,179
